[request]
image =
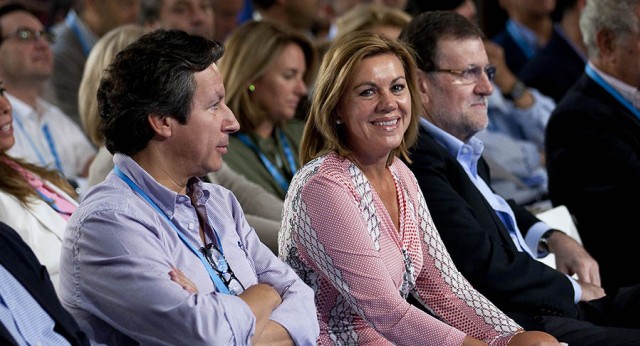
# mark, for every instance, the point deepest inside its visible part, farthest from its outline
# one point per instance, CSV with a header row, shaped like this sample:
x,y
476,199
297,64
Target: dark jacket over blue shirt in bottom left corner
x,y
16,256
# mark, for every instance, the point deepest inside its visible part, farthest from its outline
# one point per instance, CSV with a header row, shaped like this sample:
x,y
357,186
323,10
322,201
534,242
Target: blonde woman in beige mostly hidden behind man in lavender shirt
x,y
262,210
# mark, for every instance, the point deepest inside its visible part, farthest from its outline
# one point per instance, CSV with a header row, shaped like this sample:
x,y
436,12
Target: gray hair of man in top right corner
x,y
618,16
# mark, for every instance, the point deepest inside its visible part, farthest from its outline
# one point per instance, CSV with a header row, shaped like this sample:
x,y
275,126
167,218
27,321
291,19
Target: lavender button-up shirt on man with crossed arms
x,y
118,250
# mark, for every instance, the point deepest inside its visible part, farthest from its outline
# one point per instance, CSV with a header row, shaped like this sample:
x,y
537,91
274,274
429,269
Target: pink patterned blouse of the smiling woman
x,y
338,236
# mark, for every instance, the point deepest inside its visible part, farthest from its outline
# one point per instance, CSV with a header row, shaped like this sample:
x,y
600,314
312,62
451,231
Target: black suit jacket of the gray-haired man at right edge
x,y
593,161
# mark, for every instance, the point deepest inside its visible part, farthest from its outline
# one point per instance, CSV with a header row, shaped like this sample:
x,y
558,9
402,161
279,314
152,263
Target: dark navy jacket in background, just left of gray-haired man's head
x,y
554,69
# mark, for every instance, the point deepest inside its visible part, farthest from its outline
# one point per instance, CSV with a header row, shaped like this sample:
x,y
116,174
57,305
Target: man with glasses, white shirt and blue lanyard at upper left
x,y
44,135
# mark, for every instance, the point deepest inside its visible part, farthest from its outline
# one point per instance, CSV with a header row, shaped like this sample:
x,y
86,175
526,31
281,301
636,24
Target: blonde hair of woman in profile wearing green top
x,y
250,51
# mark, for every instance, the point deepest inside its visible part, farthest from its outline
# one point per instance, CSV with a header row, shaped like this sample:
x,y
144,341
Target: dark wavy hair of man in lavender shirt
x,y
154,76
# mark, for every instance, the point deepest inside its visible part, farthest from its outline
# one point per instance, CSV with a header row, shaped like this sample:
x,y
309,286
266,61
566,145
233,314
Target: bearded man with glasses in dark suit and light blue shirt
x,y
493,241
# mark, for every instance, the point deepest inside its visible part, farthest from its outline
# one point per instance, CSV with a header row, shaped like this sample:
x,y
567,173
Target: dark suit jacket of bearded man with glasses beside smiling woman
x,y
480,244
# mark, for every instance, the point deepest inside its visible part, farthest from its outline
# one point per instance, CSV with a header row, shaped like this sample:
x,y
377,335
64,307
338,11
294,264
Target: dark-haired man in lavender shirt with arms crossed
x,y
153,255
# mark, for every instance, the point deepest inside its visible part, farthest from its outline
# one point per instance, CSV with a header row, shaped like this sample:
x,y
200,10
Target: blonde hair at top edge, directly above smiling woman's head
x,y
367,16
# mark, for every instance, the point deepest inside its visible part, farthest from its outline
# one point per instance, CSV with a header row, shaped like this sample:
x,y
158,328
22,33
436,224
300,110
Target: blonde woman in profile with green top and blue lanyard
x,y
267,69
